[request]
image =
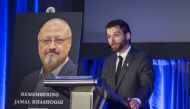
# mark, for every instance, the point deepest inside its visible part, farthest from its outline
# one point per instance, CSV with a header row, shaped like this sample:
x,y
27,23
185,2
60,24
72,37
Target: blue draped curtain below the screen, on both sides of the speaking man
x,y
172,84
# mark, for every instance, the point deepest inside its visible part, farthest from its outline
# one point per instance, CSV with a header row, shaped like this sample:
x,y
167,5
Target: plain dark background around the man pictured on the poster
x,y
24,58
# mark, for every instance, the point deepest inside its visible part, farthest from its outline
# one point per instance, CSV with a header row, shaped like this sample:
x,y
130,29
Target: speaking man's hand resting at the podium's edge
x,y
133,103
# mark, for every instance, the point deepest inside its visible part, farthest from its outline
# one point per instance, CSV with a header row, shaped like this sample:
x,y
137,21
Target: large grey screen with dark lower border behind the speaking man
x,y
160,28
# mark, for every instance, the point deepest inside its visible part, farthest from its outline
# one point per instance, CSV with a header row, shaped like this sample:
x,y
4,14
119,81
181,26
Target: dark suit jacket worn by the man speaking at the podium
x,y
136,78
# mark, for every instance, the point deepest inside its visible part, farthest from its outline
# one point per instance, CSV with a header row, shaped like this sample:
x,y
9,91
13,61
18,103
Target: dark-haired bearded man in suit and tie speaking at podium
x,y
128,72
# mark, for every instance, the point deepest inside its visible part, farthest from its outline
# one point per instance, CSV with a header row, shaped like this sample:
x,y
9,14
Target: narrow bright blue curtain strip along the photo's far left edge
x,y
3,49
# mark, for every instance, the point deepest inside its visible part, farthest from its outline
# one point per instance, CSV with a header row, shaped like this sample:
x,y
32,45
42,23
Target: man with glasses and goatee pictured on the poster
x,y
54,43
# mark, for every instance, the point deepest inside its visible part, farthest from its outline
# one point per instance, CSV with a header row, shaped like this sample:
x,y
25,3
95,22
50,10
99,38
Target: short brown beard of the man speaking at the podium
x,y
119,46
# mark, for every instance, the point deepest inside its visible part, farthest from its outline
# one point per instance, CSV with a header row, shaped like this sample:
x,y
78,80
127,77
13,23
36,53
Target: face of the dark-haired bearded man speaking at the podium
x,y
116,38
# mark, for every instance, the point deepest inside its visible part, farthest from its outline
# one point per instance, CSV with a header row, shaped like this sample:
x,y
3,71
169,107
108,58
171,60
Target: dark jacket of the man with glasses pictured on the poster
x,y
31,81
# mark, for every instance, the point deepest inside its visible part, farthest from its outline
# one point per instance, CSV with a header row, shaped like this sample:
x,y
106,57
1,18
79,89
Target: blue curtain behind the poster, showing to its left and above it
x,y
21,7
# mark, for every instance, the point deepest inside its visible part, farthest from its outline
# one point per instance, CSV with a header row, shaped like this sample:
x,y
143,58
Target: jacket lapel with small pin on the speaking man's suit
x,y
125,67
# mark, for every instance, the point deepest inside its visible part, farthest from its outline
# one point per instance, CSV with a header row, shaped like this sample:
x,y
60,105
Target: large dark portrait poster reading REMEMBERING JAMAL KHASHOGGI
x,y
44,46
